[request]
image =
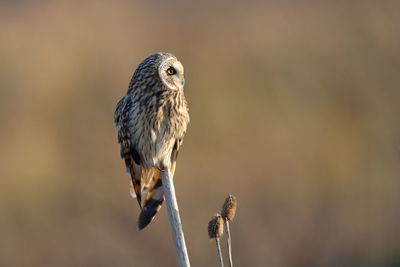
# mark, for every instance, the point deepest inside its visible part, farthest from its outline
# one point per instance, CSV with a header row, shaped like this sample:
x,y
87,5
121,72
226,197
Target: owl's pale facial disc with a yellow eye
x,y
171,73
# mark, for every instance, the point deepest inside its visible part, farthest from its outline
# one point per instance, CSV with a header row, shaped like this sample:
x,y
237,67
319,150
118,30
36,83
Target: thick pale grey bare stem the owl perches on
x,y
174,219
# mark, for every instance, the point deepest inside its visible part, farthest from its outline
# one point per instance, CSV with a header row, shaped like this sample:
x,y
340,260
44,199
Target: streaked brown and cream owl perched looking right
x,y
151,121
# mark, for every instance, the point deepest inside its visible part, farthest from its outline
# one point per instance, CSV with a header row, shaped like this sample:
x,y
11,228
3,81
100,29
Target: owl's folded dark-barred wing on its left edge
x,y
128,151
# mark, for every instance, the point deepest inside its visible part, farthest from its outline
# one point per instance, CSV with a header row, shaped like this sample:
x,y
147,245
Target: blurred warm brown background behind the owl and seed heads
x,y
294,109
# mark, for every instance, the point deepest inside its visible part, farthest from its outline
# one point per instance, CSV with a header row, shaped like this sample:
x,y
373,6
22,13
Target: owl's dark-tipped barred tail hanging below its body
x,y
154,200
